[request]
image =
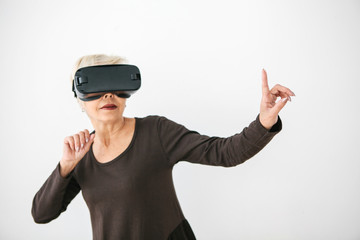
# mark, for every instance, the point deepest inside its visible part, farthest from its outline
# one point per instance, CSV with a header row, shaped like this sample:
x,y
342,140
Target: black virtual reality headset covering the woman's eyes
x,y
93,82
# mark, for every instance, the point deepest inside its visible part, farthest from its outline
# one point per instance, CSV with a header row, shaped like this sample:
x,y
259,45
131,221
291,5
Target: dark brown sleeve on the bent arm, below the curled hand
x,y
54,196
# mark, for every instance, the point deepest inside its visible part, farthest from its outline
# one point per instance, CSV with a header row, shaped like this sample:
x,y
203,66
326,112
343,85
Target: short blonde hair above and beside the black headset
x,y
96,59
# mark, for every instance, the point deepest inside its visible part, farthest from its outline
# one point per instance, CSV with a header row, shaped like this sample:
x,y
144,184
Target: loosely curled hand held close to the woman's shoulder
x,y
75,147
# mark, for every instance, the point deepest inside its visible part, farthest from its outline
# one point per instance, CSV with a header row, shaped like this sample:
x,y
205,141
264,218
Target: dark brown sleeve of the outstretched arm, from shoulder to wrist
x,y
181,144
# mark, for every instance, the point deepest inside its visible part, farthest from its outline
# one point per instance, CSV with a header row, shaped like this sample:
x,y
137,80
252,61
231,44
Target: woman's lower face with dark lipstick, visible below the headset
x,y
98,111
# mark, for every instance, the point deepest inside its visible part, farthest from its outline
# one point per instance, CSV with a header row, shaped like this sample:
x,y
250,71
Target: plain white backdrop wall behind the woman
x,y
201,66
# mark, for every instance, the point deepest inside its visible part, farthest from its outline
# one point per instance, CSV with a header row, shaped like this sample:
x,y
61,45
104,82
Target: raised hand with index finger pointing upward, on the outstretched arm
x,y
269,108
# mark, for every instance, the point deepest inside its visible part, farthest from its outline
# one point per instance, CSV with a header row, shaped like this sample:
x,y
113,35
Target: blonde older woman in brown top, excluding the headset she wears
x,y
124,168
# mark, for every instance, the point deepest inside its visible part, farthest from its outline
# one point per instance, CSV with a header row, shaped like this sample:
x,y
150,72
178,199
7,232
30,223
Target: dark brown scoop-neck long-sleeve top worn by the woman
x,y
133,196
